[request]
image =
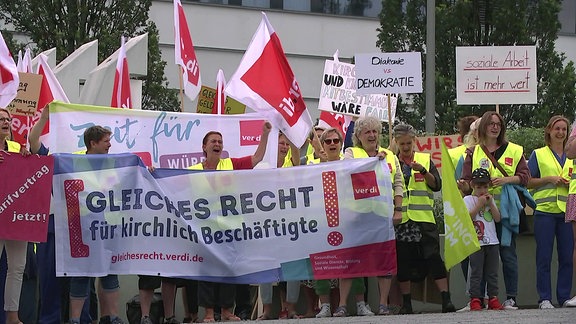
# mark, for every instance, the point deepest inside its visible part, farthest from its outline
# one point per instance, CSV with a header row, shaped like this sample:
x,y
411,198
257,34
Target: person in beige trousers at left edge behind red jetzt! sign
x,y
15,250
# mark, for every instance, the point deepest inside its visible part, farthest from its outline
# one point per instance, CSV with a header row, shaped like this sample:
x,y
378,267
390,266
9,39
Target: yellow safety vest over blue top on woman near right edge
x,y
549,197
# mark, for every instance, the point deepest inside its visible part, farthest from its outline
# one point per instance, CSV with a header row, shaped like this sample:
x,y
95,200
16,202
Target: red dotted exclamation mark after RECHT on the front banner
x,y
335,238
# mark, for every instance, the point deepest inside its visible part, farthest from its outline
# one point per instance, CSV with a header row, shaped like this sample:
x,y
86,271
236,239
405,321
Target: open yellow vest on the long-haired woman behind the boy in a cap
x,y
509,161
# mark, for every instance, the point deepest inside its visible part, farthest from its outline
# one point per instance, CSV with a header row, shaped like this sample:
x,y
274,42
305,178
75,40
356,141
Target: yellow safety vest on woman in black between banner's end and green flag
x,y
419,206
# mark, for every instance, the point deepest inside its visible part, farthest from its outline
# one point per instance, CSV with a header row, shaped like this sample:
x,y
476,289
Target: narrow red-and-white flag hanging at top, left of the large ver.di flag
x,y
185,55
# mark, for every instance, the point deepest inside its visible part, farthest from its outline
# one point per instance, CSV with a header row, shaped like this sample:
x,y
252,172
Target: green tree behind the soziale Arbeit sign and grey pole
x,y
481,23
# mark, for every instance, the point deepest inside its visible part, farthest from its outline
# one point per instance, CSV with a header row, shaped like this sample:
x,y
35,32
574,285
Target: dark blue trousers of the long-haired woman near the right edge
x,y
547,226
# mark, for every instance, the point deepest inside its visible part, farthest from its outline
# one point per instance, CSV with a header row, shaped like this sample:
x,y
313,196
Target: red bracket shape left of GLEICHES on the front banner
x,y
77,247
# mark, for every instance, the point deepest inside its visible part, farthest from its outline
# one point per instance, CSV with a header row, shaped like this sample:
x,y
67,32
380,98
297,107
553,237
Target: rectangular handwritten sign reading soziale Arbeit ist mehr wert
x,y
496,75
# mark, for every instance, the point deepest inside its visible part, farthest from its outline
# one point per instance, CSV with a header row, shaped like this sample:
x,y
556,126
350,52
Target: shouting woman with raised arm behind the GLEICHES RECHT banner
x,y
212,147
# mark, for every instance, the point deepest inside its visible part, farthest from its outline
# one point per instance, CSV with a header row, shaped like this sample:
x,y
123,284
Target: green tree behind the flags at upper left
x,y
68,24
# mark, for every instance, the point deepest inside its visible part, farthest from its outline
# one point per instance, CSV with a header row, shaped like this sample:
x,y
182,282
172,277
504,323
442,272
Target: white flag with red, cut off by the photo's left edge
x,y
9,79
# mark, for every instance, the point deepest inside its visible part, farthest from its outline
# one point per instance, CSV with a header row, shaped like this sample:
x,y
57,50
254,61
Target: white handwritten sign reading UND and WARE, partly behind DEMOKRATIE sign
x,y
338,94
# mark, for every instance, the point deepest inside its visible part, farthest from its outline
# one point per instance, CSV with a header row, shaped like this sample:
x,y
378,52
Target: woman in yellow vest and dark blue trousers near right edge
x,y
551,173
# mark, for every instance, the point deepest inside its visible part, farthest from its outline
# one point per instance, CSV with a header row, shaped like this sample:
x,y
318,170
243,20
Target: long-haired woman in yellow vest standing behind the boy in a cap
x,y
492,139
